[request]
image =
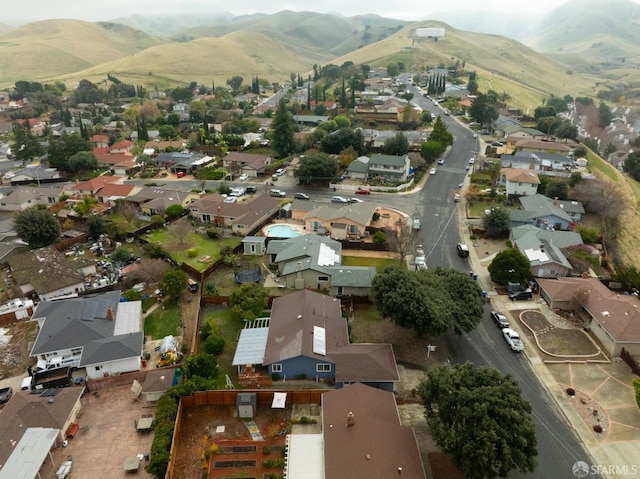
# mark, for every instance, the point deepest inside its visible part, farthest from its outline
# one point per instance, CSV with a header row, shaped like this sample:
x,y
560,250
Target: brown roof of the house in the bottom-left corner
x,y
26,411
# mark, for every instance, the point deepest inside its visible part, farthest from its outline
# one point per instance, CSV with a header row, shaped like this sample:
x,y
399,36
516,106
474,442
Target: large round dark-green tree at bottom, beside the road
x,y
479,418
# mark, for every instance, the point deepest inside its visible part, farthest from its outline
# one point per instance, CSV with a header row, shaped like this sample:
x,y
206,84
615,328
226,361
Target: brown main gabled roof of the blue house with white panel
x,y
291,327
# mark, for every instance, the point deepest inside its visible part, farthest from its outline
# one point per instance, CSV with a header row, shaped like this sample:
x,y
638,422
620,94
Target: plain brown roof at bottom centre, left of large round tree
x,y
375,446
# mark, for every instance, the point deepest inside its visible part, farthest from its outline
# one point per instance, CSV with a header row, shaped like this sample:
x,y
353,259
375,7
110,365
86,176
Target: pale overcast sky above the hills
x,y
410,10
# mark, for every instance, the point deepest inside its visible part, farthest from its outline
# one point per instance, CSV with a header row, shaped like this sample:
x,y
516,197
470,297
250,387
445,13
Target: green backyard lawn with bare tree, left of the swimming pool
x,y
195,249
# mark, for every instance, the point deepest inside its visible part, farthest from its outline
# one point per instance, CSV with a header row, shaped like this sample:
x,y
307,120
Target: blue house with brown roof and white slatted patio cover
x,y
302,336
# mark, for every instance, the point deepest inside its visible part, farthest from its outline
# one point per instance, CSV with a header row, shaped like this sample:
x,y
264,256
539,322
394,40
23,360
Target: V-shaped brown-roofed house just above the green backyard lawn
x,y
242,217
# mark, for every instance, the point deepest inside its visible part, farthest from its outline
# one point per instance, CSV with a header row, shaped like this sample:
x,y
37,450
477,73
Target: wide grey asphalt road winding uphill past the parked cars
x,y
558,447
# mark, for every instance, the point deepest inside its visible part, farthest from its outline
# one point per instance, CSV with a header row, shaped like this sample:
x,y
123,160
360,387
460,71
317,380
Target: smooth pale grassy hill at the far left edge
x,y
42,50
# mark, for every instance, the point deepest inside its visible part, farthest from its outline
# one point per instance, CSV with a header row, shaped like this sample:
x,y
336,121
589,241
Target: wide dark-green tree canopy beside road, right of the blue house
x,y
429,301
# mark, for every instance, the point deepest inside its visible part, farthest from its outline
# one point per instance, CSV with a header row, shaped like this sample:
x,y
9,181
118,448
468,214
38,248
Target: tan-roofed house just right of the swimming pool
x,y
339,221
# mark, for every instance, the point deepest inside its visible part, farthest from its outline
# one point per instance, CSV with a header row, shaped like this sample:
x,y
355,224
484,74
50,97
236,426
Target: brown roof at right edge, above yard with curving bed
x,y
618,314
